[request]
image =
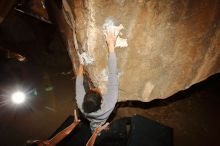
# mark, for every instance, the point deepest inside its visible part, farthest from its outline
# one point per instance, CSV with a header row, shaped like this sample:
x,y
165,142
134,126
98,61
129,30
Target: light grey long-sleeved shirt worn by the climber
x,y
109,98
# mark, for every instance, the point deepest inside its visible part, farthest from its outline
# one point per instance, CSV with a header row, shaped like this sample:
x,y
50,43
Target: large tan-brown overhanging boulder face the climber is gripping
x,y
172,44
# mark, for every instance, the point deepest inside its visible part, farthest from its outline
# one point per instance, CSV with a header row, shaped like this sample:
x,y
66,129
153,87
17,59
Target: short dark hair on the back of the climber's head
x,y
92,101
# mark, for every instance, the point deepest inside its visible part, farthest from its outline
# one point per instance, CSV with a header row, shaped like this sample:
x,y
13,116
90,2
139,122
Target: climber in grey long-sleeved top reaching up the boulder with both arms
x,y
95,106
